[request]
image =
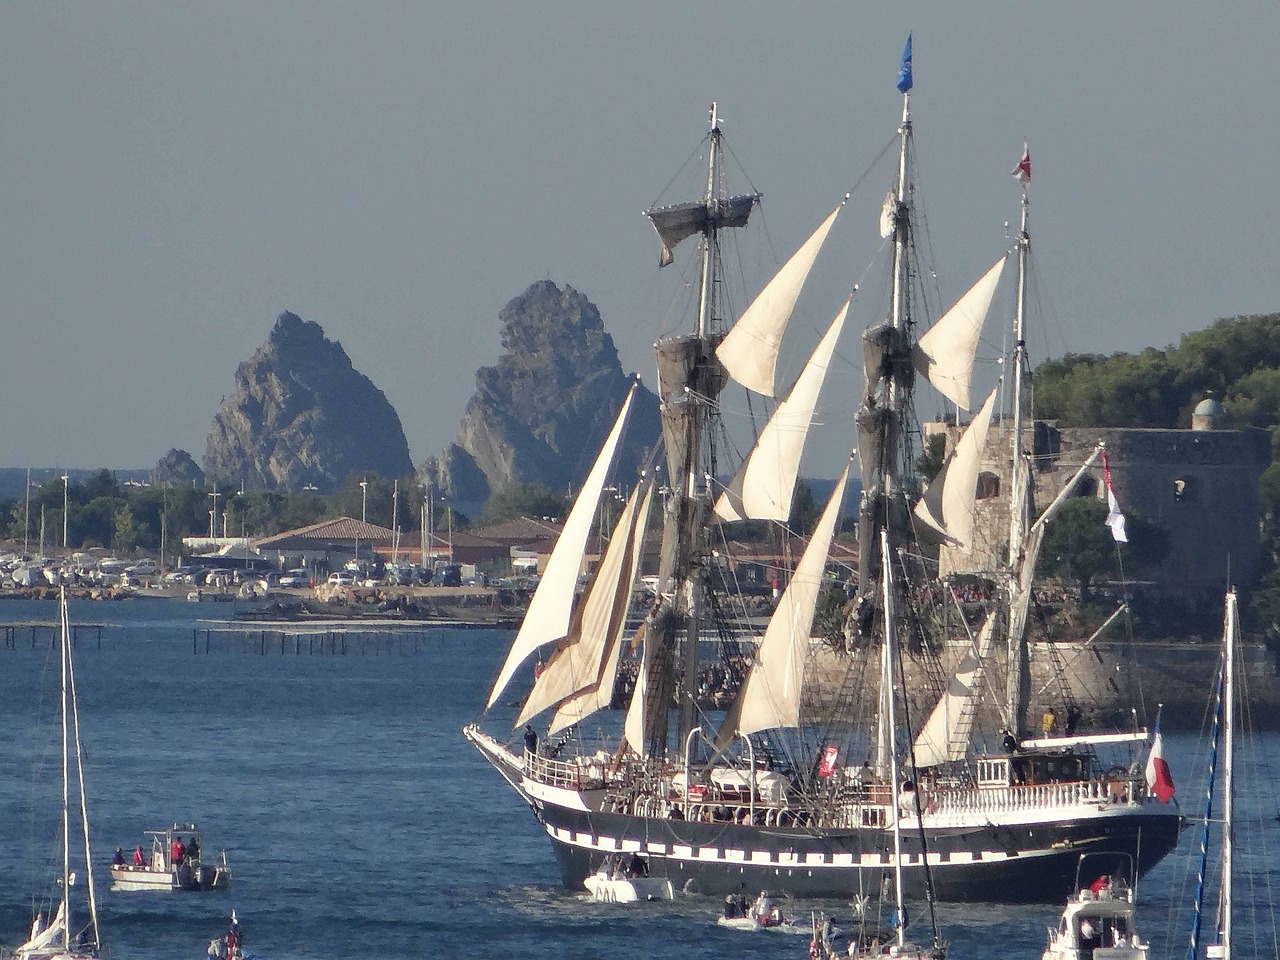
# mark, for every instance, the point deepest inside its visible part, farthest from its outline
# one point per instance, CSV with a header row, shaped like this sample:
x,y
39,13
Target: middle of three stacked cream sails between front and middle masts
x,y
764,486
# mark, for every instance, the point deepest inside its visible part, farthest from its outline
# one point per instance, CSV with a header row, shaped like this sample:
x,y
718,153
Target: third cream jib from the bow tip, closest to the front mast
x,y
598,694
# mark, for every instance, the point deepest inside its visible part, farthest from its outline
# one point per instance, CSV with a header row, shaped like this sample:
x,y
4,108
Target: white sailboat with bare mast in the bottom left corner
x,y
63,938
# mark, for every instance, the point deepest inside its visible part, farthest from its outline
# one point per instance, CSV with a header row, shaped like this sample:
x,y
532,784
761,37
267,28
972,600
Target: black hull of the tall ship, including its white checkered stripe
x,y
1027,863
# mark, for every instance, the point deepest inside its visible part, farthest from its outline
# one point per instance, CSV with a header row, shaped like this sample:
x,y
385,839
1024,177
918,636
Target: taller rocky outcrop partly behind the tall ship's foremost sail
x,y
542,412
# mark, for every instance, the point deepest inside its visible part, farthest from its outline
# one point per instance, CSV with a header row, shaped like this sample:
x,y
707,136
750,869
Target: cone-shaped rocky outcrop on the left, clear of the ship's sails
x,y
301,415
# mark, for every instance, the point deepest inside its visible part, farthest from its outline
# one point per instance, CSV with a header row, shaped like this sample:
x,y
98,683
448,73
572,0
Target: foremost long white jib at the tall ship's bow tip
x,y
548,615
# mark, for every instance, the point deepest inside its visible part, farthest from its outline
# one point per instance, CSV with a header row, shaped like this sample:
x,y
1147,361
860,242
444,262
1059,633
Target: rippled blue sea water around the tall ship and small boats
x,y
358,821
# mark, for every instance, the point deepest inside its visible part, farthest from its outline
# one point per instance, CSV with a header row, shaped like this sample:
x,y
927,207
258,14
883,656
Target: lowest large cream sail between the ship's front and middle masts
x,y
771,696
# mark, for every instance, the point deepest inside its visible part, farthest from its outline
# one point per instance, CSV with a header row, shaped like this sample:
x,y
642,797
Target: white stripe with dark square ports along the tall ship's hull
x,y
732,856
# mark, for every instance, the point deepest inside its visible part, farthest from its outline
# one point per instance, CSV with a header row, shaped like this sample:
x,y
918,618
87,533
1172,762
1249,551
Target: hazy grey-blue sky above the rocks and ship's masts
x,y
177,175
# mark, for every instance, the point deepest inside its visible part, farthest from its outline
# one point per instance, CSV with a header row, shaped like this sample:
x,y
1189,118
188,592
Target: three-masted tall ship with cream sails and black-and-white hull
x,y
774,785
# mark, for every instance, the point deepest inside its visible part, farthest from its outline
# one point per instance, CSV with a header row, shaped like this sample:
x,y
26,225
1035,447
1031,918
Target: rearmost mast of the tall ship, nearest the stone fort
x,y
1020,493
